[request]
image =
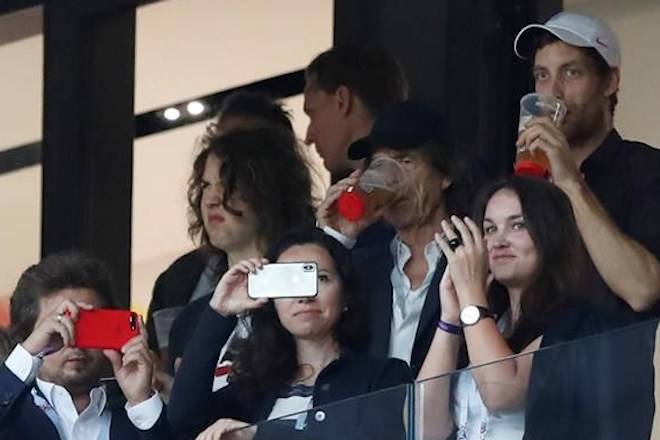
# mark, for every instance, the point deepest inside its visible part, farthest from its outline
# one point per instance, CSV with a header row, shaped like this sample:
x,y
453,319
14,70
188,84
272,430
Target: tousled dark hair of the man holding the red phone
x,y
64,270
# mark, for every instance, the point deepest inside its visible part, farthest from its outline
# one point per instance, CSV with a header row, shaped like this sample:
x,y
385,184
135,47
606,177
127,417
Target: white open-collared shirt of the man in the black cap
x,y
407,303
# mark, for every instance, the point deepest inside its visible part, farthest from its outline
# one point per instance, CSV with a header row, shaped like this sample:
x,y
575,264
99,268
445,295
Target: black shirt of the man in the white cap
x,y
625,176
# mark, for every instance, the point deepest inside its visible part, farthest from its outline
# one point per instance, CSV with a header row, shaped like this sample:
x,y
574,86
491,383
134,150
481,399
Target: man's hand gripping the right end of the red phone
x,y
133,368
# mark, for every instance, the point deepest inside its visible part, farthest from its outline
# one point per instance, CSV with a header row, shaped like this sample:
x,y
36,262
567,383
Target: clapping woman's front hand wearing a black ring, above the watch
x,y
467,263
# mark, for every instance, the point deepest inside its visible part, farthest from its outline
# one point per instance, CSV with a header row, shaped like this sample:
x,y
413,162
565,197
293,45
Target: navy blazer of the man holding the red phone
x,y
20,418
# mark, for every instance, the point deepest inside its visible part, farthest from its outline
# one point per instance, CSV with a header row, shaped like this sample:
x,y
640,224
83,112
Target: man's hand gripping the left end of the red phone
x,y
54,330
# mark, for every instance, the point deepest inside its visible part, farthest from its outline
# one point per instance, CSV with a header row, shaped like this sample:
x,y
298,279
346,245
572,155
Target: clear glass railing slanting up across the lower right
x,y
597,387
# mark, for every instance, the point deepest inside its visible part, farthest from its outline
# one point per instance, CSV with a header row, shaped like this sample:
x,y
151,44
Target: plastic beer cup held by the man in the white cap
x,y
536,163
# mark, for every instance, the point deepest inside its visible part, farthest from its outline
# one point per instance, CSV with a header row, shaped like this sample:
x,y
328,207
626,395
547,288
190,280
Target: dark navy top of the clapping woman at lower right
x,y
599,386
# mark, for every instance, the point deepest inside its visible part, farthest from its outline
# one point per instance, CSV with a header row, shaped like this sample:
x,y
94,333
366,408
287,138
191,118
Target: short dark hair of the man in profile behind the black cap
x,y
370,73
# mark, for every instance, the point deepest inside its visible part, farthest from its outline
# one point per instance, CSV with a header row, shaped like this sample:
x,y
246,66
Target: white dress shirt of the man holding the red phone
x,y
93,423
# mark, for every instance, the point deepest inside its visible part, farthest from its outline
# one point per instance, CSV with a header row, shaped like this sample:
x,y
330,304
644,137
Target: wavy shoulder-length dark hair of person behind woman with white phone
x,y
264,165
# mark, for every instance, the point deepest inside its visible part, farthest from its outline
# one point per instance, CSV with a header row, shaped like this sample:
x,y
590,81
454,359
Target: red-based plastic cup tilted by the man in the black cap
x,y
379,185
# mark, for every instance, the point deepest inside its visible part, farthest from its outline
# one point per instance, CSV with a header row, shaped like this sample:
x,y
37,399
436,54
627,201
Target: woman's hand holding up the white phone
x,y
230,297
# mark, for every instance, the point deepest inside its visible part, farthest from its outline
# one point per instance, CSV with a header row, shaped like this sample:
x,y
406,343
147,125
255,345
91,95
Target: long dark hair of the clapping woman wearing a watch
x,y
563,258
